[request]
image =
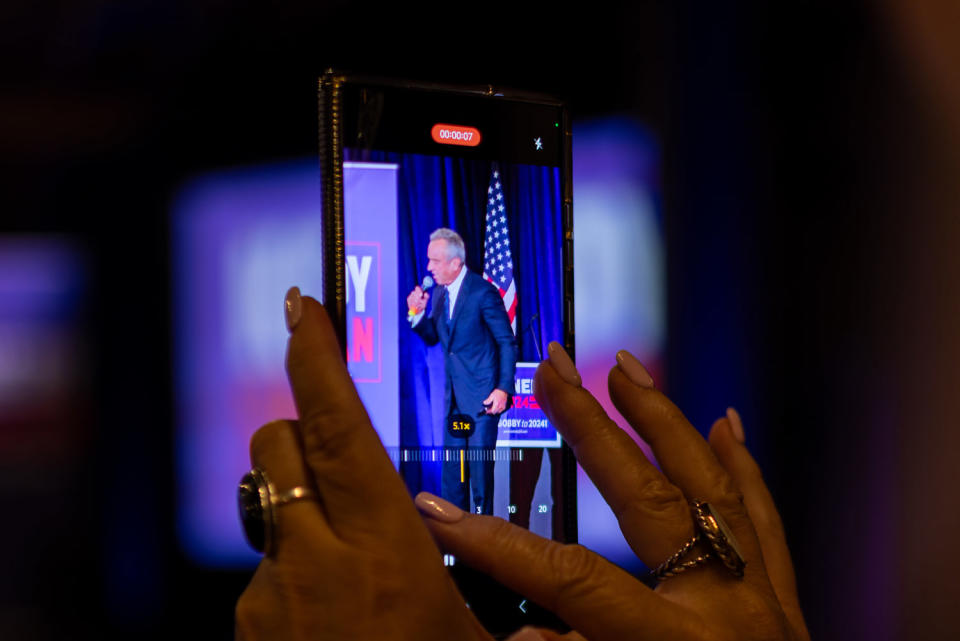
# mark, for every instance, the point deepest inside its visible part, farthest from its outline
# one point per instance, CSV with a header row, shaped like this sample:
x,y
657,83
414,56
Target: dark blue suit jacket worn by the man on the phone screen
x,y
480,350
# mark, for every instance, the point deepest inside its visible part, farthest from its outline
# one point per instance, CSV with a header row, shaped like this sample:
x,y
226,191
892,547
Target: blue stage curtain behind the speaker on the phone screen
x,y
437,191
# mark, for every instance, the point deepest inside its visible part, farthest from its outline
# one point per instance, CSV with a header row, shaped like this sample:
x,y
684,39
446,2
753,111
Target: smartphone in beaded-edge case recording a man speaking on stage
x,y
448,268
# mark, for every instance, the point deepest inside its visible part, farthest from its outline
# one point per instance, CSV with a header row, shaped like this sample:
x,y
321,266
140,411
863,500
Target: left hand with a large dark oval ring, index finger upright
x,y
358,563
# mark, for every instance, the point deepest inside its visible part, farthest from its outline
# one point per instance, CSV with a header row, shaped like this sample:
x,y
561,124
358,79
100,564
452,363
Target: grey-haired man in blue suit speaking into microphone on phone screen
x,y
480,357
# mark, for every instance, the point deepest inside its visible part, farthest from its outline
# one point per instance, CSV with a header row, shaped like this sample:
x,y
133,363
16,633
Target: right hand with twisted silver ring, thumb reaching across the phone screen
x,y
597,599
